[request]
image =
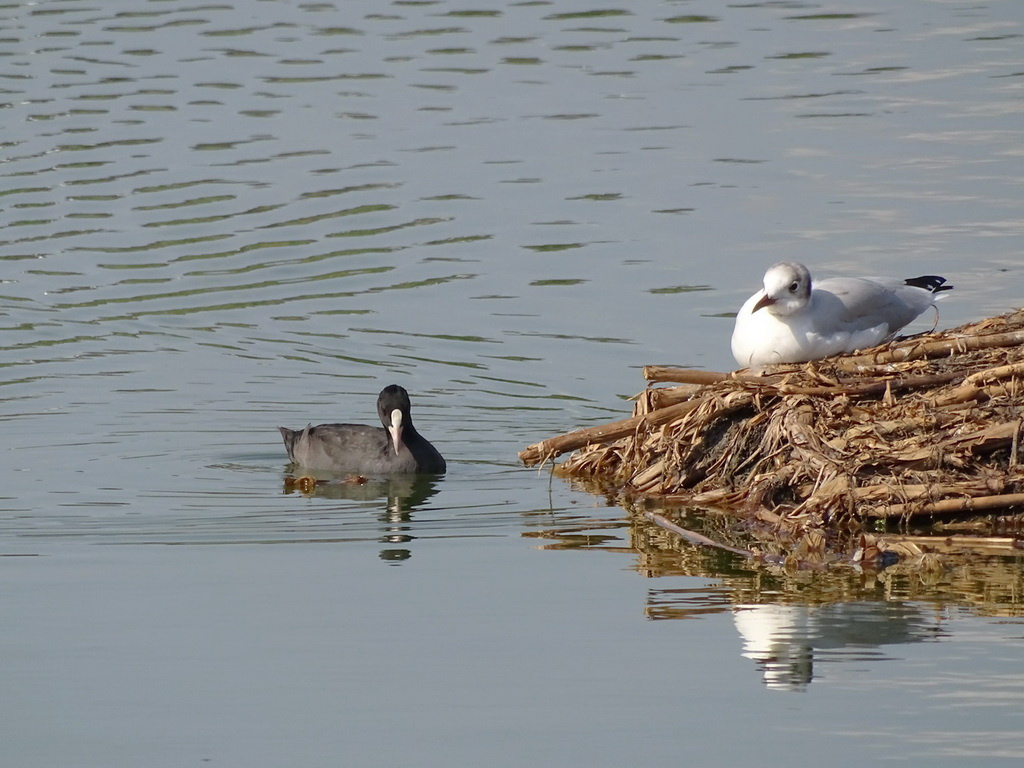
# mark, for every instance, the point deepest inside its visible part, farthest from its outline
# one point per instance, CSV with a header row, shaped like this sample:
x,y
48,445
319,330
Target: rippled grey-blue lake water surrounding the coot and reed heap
x,y
222,218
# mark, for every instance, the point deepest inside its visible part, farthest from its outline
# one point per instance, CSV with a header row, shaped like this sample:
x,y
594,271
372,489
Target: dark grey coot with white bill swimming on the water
x,y
397,449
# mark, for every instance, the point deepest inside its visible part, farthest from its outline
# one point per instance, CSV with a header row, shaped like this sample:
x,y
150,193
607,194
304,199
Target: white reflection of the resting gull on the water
x,y
787,641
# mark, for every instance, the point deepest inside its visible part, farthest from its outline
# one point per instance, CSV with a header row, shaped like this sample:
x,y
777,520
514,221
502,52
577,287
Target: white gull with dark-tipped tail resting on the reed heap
x,y
792,322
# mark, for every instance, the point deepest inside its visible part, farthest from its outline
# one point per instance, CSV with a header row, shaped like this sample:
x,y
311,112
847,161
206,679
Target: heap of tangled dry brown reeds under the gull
x,y
924,430
